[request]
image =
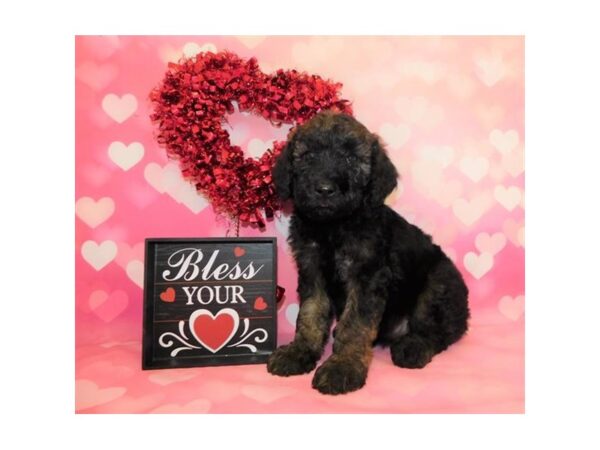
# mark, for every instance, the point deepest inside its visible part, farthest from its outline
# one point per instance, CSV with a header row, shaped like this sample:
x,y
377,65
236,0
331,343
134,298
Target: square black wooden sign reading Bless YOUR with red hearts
x,y
209,302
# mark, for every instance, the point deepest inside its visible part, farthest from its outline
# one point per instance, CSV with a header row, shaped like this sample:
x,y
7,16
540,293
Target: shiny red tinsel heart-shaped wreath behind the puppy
x,y
190,107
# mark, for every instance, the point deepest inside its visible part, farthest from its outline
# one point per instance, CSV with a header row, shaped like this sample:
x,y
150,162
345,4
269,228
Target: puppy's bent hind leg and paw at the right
x,y
439,319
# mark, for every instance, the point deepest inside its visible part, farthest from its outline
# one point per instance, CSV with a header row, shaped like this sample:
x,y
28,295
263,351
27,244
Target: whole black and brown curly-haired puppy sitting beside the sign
x,y
359,261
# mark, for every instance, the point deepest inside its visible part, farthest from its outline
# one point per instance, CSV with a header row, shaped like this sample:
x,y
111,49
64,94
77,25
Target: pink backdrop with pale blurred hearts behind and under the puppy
x,y
451,111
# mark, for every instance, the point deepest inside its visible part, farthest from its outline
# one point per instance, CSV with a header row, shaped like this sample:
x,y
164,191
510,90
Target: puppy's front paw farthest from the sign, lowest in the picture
x,y
338,376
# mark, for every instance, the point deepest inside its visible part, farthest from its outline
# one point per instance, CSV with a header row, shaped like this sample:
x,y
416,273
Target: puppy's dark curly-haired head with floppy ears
x,y
332,166
